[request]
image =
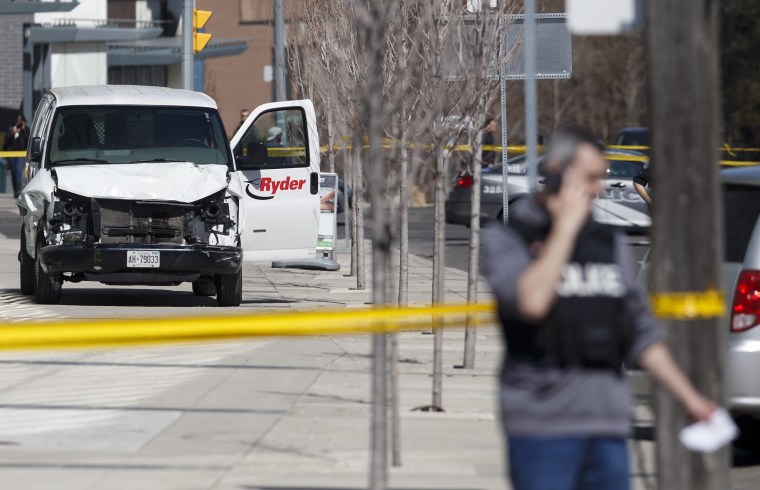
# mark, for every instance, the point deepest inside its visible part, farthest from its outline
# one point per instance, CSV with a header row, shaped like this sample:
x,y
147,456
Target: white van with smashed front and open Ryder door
x,y
130,185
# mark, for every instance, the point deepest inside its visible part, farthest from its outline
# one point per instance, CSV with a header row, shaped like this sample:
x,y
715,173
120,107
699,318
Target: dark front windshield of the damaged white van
x,y
131,134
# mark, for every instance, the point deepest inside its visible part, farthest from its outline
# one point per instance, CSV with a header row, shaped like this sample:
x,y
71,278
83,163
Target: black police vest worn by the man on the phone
x,y
586,326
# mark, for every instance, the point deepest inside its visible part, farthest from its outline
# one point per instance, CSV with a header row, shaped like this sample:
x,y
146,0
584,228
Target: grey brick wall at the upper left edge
x,y
11,60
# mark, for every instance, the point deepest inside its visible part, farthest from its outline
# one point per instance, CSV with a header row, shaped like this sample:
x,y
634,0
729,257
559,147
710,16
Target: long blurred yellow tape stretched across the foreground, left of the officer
x,y
140,331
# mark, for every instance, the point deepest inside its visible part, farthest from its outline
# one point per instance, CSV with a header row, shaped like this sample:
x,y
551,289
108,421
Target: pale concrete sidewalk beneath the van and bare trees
x,y
276,414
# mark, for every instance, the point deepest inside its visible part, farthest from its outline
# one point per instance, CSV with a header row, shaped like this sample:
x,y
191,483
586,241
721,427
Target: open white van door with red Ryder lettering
x,y
276,154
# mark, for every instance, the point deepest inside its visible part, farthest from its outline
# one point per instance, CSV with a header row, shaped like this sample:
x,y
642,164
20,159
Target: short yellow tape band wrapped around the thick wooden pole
x,y
688,305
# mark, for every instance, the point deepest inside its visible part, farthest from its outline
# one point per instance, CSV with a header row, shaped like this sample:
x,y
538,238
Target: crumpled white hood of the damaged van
x,y
171,181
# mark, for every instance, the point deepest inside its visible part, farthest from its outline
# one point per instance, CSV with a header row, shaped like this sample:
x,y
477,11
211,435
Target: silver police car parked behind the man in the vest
x,y
620,205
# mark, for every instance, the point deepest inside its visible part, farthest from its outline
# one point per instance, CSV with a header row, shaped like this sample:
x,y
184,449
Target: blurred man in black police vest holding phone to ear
x,y
572,316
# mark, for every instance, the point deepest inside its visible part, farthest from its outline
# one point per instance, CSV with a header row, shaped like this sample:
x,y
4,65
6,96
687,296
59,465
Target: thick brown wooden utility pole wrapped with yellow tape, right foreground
x,y
687,249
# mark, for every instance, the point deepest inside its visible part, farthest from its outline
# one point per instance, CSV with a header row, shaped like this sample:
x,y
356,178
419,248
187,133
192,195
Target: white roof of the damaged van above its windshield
x,y
129,95
